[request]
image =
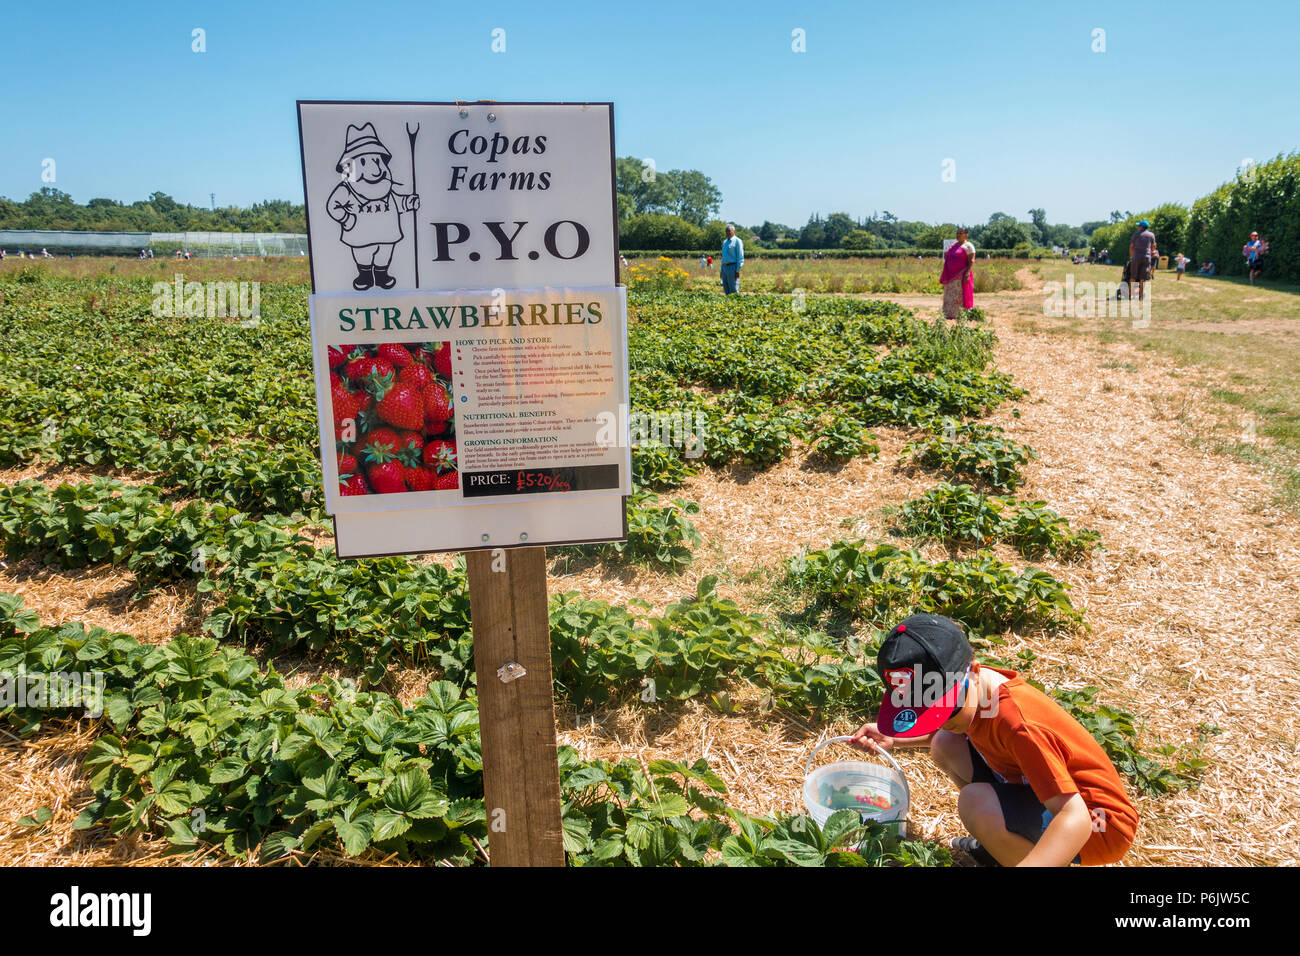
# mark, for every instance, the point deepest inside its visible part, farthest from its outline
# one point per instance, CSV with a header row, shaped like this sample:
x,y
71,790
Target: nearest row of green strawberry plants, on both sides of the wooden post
x,y
201,745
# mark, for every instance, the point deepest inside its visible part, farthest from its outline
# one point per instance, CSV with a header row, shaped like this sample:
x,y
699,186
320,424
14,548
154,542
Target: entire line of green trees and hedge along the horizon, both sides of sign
x,y
678,209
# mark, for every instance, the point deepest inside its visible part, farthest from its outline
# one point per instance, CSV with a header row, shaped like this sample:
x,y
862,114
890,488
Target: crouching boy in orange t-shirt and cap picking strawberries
x,y
1035,789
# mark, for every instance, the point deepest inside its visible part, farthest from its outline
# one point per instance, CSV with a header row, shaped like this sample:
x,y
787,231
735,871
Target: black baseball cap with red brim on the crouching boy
x,y
924,664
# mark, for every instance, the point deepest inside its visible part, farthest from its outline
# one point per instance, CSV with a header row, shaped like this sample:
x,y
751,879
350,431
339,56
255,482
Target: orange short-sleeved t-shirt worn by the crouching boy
x,y
1030,738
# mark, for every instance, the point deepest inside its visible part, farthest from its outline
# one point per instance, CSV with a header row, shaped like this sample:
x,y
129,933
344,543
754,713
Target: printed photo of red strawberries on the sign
x,y
395,418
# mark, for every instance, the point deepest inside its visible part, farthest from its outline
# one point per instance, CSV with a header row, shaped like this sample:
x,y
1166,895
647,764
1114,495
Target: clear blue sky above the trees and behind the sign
x,y
863,122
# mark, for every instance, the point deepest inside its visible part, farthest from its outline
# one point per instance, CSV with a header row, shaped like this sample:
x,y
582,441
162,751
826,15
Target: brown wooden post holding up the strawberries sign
x,y
517,710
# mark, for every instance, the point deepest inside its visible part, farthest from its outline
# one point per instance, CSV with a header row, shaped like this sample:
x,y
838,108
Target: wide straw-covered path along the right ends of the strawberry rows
x,y
1197,612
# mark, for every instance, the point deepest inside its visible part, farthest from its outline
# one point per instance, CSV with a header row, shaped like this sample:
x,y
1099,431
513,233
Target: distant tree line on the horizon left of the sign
x,y
51,209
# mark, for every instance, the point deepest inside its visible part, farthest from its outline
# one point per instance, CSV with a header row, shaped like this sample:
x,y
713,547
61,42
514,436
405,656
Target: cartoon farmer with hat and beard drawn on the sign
x,y
367,207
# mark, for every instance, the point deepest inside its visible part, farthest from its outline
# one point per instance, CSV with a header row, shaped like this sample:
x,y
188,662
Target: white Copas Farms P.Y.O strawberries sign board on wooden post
x,y
470,340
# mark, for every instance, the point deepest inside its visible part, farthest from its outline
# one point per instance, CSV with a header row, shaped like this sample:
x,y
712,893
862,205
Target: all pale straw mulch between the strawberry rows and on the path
x,y
1194,615
